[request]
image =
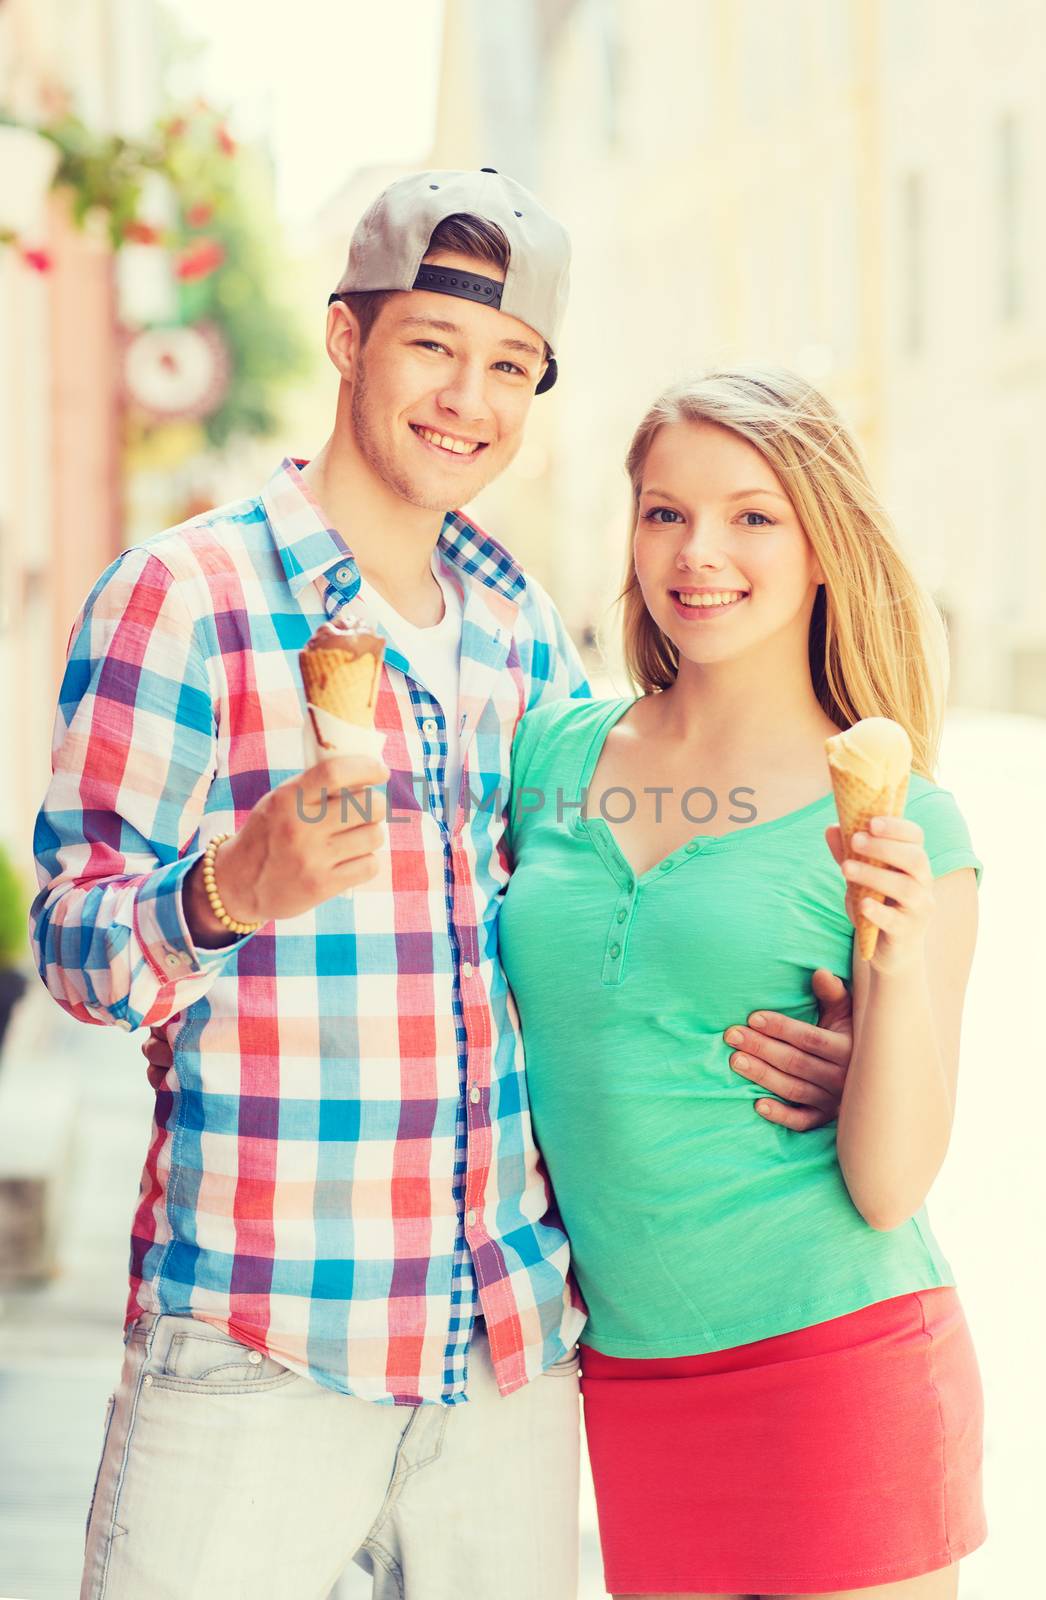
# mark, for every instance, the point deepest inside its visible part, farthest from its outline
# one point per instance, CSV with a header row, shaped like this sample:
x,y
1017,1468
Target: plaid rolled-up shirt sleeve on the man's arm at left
x,y
119,831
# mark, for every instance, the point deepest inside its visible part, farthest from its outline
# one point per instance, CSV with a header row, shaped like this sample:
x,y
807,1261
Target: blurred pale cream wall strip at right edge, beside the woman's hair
x,y
964,159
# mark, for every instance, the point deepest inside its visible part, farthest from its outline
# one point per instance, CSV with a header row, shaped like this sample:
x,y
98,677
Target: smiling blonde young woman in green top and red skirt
x,y
781,1394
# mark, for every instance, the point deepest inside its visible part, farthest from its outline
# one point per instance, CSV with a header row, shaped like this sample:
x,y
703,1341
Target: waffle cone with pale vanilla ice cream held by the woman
x,y
871,766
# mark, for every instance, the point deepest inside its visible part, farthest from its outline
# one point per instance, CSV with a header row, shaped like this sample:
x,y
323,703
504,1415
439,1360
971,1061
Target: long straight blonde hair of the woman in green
x,y
877,641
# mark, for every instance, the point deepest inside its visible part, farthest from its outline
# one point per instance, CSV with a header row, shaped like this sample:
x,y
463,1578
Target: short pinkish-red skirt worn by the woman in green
x,y
839,1457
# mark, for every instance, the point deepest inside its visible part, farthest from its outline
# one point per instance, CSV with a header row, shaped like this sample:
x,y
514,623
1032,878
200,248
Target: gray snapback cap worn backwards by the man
x,y
394,233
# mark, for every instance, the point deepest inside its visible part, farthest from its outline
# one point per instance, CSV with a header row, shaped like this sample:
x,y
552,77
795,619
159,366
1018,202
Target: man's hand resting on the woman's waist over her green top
x,y
802,1063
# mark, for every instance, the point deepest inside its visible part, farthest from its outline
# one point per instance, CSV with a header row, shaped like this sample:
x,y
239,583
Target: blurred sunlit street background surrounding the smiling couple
x,y
852,188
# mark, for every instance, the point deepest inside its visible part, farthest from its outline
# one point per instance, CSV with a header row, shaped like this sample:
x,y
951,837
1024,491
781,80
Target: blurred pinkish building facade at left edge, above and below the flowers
x,y
60,364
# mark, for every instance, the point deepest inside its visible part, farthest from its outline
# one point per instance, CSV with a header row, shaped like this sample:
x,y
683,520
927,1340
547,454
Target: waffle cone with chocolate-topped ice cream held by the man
x,y
341,671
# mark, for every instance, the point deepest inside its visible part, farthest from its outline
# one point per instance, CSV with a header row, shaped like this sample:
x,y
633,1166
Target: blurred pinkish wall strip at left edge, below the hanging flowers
x,y
60,514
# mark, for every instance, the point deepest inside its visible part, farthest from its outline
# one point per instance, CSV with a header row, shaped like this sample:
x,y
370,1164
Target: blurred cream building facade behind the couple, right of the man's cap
x,y
848,190
